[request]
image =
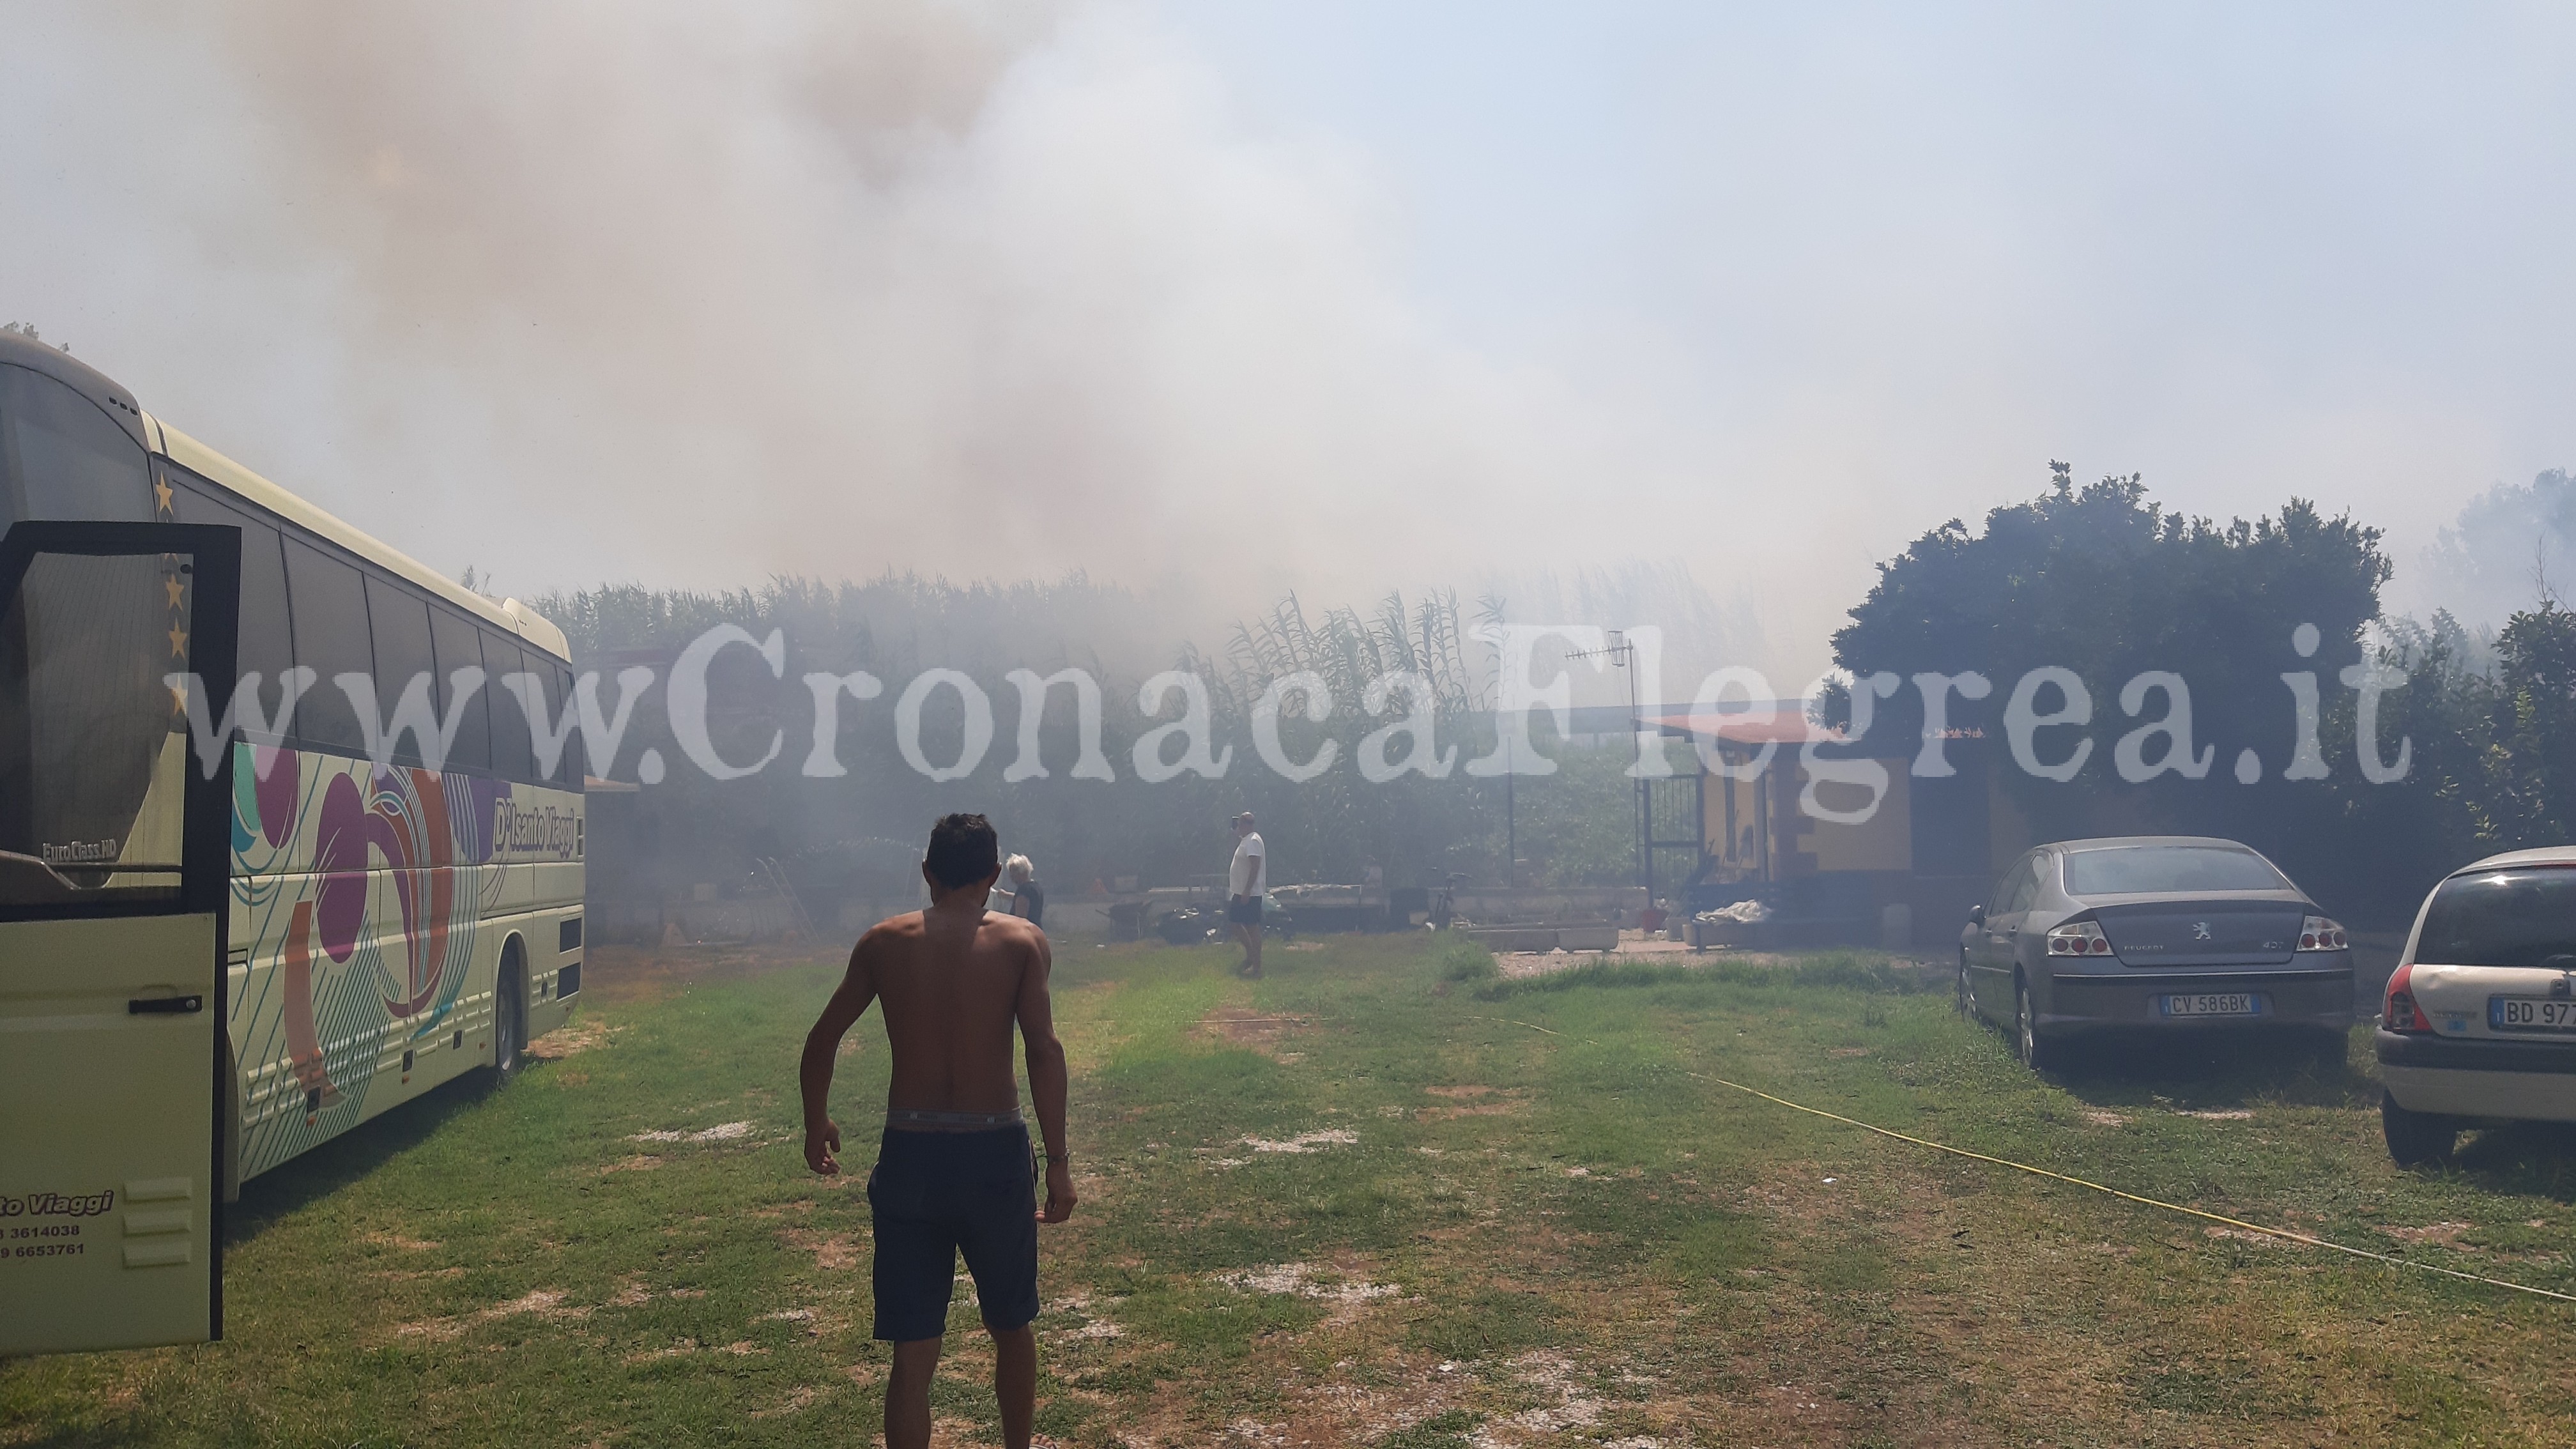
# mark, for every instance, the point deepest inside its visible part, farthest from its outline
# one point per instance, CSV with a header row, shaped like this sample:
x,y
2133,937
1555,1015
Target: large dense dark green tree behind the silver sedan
x,y
2111,587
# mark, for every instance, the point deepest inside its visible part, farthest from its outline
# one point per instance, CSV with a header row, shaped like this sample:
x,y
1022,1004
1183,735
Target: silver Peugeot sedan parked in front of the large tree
x,y
2152,935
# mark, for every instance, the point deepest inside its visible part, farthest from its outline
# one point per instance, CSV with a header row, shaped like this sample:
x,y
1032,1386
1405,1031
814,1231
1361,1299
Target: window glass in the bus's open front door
x,y
86,734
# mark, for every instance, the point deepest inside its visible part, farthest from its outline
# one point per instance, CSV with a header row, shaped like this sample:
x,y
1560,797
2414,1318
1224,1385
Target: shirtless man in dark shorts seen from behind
x,y
954,1169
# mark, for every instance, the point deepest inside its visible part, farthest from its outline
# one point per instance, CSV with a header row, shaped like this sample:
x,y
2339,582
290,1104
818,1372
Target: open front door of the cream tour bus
x,y
115,844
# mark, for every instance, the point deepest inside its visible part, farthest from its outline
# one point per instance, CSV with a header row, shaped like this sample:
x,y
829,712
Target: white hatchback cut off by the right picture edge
x,y
2479,1022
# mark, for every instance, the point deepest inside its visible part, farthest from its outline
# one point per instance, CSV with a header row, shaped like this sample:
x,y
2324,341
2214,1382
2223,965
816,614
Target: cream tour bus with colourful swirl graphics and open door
x,y
233,932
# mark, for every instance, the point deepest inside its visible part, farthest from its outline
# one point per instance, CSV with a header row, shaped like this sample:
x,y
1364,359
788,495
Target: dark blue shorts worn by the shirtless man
x,y
939,1195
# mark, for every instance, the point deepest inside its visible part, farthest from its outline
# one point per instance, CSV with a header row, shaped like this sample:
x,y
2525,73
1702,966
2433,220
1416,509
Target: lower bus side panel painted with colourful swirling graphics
x,y
367,922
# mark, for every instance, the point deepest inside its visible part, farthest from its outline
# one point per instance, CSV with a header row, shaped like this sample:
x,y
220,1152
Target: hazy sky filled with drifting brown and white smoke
x,y
1243,298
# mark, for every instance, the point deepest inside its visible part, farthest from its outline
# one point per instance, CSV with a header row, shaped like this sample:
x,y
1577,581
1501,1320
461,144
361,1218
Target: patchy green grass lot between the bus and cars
x,y
1549,1226
